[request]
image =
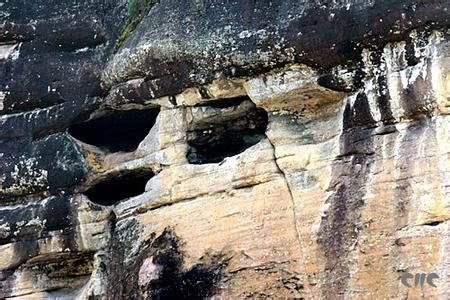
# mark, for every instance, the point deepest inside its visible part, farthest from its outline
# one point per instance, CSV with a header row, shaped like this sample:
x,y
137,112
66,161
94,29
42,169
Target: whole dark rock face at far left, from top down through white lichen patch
x,y
51,80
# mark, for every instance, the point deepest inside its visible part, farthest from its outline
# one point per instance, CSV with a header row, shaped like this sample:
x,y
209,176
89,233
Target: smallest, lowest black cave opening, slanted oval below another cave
x,y
119,187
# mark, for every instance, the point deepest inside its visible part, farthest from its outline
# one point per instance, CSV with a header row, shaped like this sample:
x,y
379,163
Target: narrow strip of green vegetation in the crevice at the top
x,y
136,10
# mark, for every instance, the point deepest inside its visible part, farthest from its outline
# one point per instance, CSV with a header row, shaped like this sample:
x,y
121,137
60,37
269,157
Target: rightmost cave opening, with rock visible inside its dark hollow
x,y
229,127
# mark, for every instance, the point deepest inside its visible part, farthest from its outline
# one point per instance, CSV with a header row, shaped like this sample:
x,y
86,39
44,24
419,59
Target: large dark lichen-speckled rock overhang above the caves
x,y
184,44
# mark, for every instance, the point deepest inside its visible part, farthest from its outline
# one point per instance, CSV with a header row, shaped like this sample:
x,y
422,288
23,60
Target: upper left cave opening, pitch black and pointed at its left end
x,y
117,131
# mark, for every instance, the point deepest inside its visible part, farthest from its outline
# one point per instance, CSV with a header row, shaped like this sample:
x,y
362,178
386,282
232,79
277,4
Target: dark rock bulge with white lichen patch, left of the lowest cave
x,y
51,164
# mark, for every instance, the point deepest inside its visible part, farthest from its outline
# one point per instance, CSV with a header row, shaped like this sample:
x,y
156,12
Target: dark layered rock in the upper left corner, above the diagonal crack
x,y
60,49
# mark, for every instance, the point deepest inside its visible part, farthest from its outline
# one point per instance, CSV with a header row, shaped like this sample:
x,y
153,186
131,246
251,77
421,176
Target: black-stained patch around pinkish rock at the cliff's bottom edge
x,y
158,271
